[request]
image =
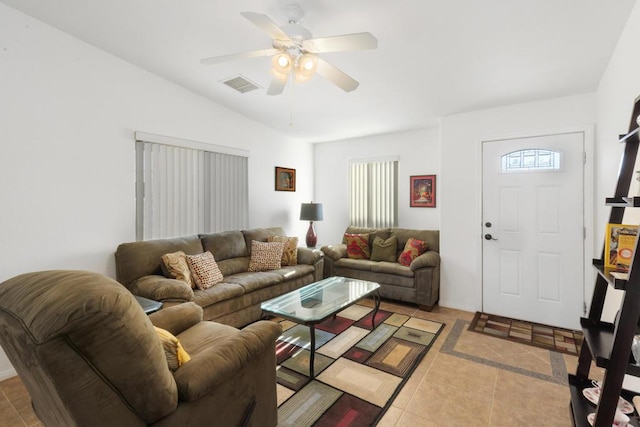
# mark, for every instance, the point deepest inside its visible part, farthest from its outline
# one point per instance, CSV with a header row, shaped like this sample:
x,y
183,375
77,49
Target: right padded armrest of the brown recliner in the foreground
x,y
222,361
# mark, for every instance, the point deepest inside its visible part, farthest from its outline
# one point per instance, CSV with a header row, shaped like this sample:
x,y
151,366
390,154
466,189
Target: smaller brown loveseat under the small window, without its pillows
x,y
419,283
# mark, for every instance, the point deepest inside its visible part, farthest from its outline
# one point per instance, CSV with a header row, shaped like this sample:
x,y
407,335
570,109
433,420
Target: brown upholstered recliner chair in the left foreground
x,y
89,356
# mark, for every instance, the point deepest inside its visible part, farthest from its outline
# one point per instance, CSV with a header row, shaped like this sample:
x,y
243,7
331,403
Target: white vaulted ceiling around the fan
x,y
434,58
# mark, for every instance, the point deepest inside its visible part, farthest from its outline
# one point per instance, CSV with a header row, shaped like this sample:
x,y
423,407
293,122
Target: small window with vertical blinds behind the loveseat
x,y
373,193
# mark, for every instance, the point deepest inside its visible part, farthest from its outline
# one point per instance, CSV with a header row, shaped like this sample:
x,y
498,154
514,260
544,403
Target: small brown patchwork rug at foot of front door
x,y
535,334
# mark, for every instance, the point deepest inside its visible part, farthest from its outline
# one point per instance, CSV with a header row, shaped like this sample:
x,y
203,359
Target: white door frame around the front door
x,y
590,240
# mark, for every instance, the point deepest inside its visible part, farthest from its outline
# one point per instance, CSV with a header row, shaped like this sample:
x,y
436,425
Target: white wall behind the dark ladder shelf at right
x,y
619,87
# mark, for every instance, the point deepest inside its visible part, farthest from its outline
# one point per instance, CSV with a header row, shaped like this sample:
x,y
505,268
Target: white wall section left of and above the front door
x,y
460,186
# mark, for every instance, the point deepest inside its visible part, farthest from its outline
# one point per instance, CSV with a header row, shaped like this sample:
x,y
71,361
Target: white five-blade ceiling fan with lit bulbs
x,y
295,53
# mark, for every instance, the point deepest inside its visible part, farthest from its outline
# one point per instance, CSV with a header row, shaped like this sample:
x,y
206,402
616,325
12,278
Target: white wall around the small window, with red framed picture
x,y
419,154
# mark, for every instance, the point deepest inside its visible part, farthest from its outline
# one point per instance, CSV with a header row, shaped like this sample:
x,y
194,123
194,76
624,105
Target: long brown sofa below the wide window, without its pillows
x,y
235,301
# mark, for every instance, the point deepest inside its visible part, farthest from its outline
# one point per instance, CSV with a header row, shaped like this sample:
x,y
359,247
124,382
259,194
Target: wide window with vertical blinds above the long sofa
x,y
185,187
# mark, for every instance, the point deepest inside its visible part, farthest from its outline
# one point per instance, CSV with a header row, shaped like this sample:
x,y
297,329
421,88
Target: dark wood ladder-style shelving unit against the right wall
x,y
609,344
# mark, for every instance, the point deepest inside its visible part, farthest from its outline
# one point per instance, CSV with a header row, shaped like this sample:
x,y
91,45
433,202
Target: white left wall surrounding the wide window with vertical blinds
x,y
68,112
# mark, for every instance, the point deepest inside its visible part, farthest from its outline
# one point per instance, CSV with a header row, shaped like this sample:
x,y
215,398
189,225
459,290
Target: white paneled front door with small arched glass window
x,y
533,228
